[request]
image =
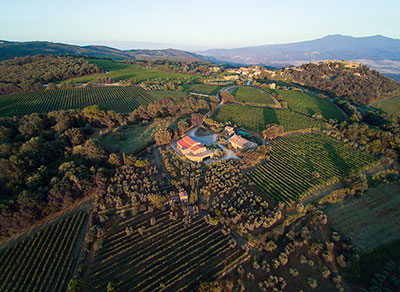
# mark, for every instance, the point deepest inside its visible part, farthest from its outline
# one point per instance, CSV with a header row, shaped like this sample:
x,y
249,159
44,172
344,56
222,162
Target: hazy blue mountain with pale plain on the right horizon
x,y
378,52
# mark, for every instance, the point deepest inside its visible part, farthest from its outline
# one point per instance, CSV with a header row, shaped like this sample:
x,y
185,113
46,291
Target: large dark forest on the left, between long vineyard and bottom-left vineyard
x,y
50,161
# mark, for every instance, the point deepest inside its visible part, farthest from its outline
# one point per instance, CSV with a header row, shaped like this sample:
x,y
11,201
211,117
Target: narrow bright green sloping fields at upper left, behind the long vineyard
x,y
119,71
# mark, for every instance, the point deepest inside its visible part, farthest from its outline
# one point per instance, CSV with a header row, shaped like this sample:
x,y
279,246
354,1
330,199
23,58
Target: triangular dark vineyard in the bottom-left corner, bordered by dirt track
x,y
43,262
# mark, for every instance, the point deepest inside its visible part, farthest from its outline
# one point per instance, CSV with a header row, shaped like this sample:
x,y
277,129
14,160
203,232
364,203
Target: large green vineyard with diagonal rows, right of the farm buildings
x,y
303,164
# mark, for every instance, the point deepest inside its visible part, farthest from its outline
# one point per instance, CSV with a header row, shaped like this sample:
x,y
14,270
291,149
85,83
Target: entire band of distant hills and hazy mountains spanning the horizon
x,y
379,52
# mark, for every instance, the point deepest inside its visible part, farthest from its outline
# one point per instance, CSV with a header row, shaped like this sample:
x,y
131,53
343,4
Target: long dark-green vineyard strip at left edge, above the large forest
x,y
120,99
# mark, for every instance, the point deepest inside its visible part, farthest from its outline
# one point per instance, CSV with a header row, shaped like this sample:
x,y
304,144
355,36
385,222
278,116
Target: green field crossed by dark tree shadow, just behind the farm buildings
x,y
256,118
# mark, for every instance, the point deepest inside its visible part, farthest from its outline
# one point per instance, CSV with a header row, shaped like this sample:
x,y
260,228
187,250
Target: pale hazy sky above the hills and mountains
x,y
194,24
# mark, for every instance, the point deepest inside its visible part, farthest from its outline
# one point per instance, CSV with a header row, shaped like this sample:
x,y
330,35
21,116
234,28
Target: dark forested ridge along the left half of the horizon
x,y
10,50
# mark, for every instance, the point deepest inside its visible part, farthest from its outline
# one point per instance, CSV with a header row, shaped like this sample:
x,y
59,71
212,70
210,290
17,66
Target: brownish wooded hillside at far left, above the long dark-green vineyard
x,y
30,73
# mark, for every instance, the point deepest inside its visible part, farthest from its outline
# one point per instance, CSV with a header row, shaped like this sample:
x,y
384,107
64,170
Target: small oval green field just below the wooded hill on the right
x,y
310,105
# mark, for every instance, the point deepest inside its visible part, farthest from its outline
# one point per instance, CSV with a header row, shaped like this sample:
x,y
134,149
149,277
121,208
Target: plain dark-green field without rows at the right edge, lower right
x,y
373,219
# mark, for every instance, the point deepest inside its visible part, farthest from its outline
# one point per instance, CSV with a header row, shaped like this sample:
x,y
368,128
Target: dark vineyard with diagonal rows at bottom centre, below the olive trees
x,y
169,255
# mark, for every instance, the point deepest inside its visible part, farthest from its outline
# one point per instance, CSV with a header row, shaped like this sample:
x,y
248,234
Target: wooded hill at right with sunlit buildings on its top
x,y
357,83
